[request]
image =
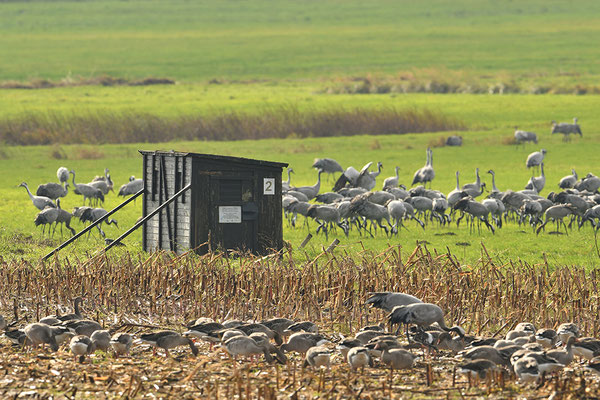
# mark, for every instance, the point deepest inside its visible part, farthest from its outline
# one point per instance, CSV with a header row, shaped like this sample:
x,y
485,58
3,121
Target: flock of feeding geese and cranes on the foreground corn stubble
x,y
525,352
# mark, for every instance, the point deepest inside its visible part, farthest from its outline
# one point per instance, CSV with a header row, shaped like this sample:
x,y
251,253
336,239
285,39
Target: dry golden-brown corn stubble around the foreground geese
x,y
165,290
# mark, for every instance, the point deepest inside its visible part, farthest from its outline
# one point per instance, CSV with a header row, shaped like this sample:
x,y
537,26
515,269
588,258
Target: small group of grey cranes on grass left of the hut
x,y
48,197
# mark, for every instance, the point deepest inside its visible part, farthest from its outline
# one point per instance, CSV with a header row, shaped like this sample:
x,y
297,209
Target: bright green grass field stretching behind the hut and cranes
x,y
272,54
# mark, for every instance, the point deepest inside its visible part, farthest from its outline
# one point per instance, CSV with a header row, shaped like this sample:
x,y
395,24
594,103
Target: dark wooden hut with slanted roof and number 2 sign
x,y
226,203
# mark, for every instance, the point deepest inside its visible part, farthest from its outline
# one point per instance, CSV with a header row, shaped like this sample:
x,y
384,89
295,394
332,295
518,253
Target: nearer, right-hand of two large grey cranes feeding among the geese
x,y
420,314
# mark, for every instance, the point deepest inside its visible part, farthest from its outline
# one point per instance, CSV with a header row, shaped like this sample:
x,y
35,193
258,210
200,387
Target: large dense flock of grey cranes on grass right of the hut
x,y
354,202
